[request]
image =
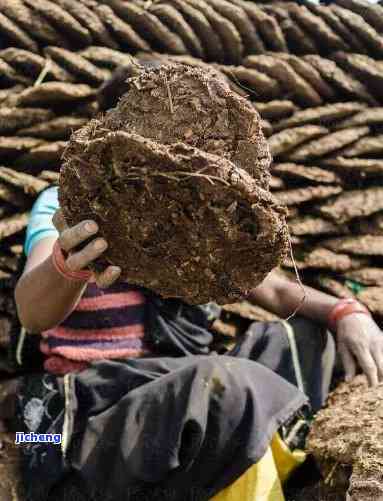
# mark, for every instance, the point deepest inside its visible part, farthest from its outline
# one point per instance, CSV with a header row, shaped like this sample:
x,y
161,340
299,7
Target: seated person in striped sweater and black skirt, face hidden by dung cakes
x,y
146,408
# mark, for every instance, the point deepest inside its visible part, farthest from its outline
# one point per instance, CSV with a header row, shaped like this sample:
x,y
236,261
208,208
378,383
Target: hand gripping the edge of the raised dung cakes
x,y
71,237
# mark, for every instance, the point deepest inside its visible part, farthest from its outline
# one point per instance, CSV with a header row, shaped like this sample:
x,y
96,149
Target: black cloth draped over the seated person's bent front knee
x,y
179,426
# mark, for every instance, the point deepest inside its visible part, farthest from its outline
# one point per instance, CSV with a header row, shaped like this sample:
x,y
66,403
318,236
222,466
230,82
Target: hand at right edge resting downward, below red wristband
x,y
360,341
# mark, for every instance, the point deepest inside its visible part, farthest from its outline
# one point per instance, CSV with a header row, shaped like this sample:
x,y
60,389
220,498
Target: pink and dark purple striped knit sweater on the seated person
x,y
106,324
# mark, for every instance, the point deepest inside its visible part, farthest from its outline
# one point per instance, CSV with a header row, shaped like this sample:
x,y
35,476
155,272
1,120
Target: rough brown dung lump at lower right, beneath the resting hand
x,y
346,436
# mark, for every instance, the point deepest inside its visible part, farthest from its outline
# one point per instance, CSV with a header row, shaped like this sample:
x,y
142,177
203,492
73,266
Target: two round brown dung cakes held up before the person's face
x,y
183,188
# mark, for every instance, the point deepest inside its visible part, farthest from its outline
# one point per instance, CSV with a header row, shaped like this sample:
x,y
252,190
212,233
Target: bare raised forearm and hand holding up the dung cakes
x,y
43,296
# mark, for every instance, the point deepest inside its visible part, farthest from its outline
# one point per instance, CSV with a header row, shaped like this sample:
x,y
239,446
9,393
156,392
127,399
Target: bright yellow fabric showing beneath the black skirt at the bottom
x,y
263,481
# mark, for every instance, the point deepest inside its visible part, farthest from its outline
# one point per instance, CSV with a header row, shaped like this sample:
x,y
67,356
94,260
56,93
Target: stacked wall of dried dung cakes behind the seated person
x,y
313,72
